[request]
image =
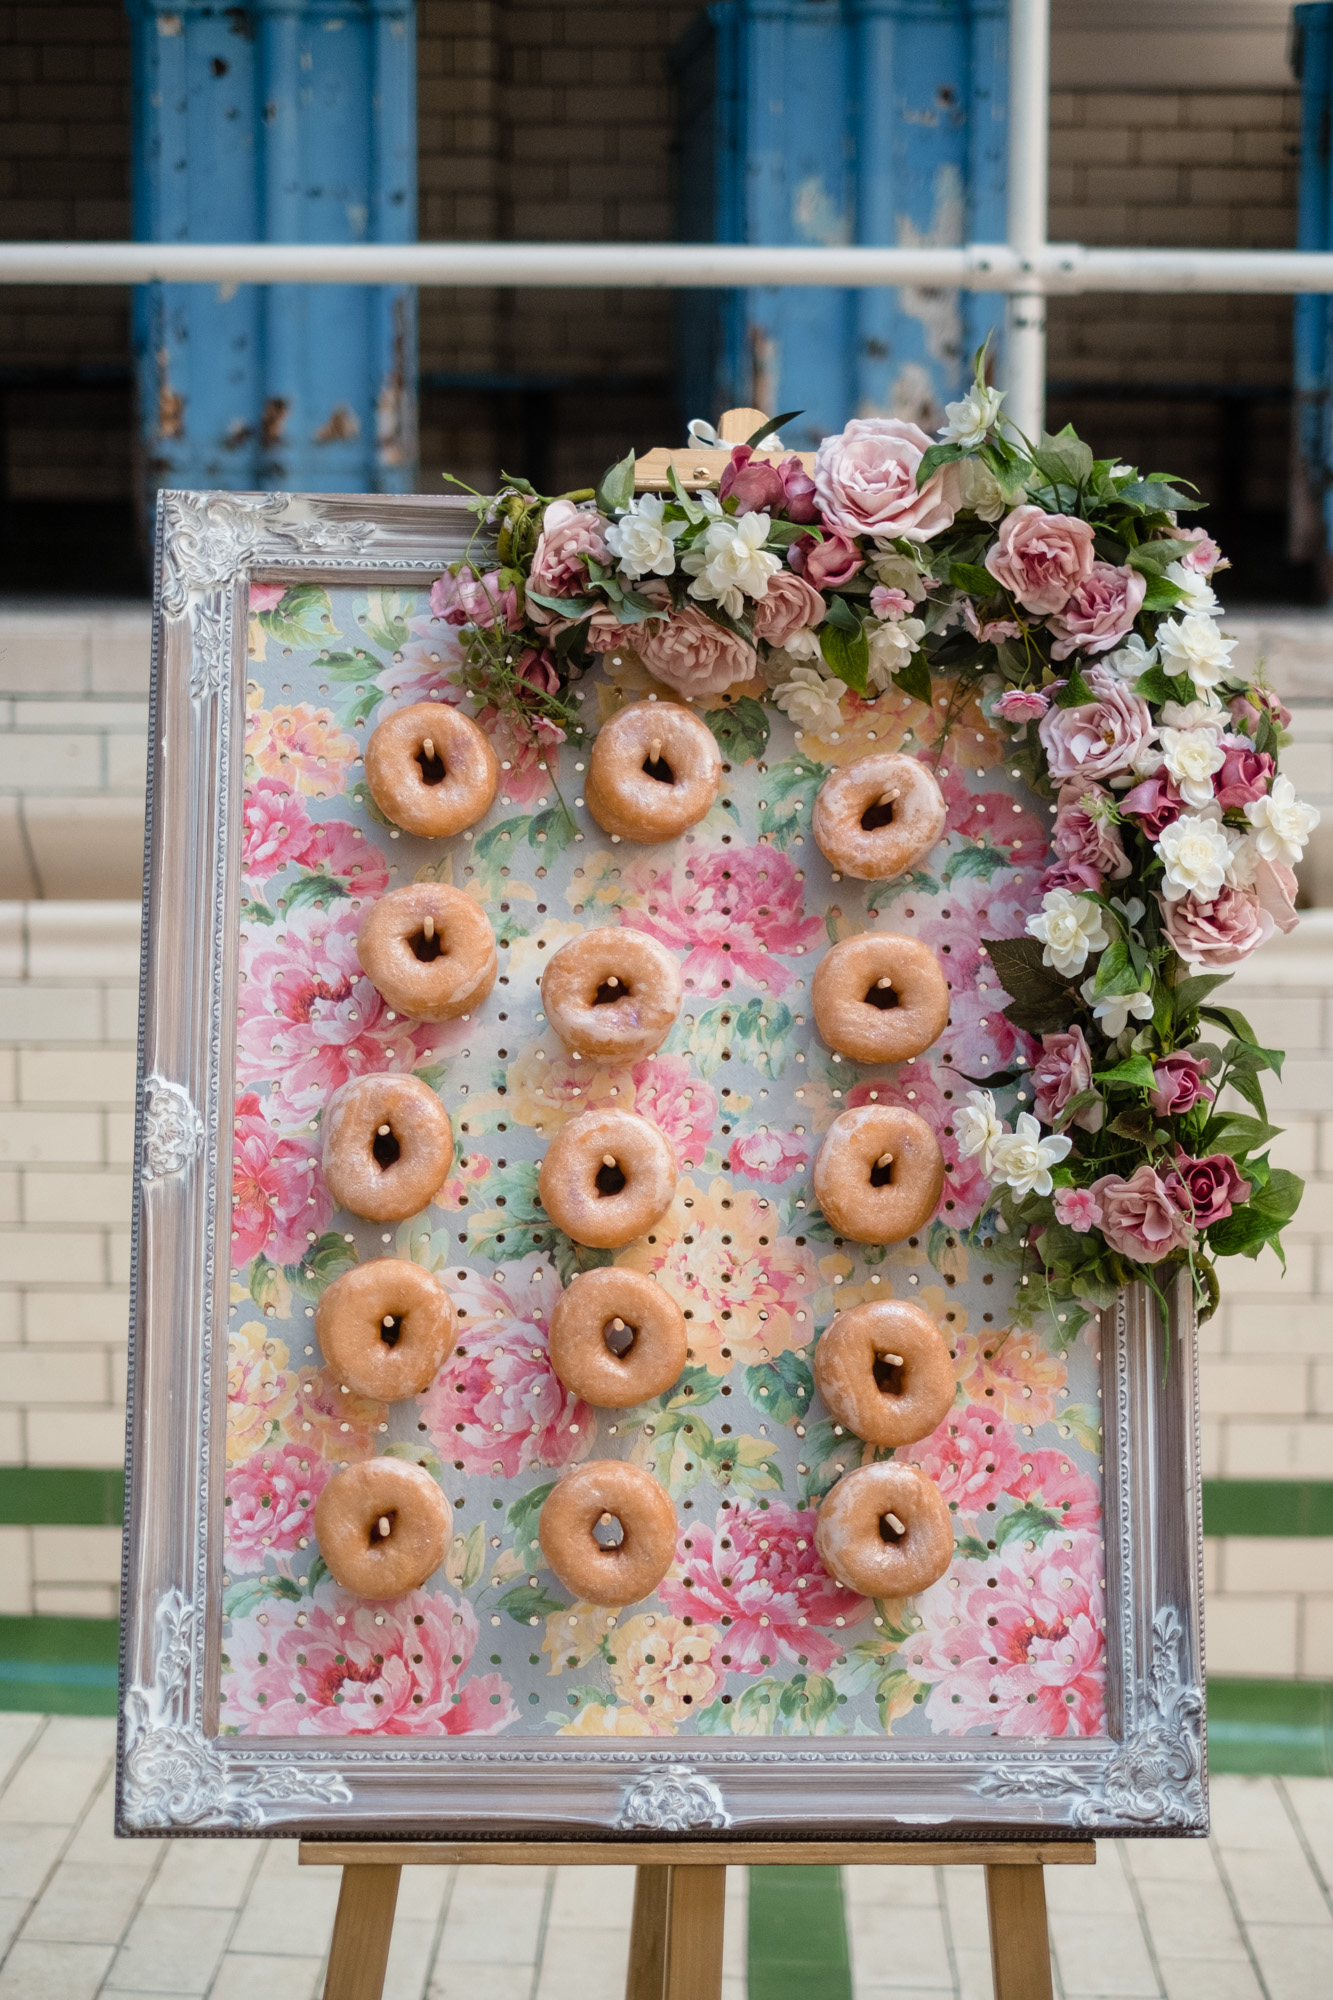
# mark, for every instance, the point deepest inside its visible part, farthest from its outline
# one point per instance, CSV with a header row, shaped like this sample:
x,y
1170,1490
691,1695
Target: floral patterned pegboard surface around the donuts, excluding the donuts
x,y
748,1633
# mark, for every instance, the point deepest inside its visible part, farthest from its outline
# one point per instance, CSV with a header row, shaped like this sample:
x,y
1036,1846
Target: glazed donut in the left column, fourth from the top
x,y
387,1329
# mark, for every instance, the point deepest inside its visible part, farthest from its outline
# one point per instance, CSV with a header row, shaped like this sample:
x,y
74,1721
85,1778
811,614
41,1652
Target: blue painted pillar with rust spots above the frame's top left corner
x,y
285,121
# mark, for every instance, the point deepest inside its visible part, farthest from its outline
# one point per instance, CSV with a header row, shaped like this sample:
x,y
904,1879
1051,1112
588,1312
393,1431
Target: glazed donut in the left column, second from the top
x,y
429,949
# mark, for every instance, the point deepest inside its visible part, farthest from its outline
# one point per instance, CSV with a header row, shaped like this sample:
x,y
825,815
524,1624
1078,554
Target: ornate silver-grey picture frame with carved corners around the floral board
x,y
177,1769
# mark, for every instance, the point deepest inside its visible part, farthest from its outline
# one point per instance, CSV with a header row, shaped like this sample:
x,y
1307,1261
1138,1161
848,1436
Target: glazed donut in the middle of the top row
x,y
655,771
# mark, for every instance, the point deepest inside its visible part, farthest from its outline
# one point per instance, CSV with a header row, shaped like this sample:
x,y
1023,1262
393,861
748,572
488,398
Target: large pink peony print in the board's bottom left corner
x,y
353,1669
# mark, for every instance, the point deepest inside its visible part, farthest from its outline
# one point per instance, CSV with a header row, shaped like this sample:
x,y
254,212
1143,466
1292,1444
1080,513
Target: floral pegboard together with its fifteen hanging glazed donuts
x,y
617,1341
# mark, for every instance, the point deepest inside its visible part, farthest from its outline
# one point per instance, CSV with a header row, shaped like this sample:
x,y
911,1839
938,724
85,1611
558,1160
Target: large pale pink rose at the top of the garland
x,y
866,479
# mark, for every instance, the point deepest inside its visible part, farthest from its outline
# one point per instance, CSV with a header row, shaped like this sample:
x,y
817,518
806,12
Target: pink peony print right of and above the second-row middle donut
x,y
730,911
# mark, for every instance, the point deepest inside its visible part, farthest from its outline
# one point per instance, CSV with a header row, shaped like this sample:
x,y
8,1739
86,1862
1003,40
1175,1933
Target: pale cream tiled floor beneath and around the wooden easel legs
x,y
85,1917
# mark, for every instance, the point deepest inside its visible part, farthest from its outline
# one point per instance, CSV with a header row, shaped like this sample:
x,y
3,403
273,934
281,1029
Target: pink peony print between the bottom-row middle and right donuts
x,y
758,1577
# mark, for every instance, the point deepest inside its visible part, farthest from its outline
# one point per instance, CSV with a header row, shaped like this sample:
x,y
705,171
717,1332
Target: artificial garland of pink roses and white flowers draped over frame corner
x,y
1062,593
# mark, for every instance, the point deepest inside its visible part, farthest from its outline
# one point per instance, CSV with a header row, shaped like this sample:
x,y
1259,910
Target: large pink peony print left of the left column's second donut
x,y
311,1019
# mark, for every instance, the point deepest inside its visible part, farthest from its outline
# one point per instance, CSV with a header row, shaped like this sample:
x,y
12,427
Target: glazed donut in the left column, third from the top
x,y
387,1175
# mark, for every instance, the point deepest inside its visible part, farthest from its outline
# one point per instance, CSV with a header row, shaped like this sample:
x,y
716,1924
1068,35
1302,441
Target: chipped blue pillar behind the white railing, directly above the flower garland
x,y
840,121
